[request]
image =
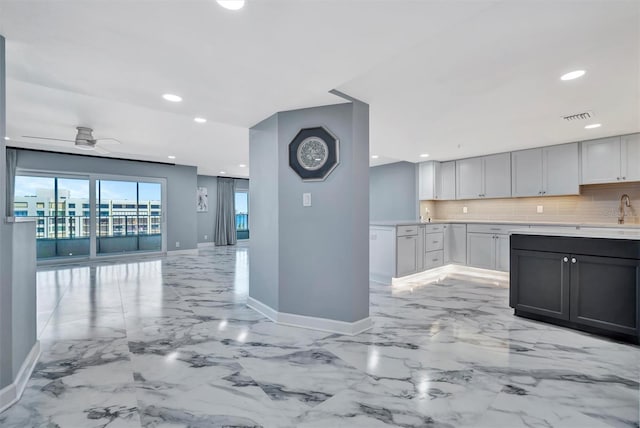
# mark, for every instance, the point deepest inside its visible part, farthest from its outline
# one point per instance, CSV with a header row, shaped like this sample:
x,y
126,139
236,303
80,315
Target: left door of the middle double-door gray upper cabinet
x,y
526,176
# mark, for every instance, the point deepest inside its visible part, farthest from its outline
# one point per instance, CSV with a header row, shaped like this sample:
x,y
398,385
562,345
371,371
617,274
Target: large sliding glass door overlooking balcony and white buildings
x,y
117,216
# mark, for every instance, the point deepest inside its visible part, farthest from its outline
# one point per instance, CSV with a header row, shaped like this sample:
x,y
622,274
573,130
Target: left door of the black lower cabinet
x,y
540,283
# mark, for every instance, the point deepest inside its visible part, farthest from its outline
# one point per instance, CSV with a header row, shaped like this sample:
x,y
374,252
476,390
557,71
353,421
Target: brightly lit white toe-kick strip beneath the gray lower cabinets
x,y
498,278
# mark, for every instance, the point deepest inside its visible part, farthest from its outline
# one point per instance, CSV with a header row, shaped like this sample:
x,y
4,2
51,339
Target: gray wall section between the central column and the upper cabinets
x,y
394,192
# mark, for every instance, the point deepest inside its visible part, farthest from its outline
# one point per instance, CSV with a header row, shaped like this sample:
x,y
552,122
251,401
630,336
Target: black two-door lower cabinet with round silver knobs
x,y
596,293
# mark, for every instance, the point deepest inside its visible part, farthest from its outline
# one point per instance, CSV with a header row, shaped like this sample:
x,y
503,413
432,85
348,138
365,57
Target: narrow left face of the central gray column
x,y
263,221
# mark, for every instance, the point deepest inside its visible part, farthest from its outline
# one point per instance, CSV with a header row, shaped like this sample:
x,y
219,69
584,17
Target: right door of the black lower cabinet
x,y
604,293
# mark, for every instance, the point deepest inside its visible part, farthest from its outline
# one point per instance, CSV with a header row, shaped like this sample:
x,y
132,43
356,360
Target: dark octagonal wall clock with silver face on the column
x,y
314,153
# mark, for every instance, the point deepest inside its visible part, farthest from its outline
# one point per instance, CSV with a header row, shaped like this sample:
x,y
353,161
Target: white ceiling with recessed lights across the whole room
x,y
448,78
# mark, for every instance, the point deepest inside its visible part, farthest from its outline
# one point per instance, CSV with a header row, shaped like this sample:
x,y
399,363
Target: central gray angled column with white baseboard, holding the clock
x,y
309,265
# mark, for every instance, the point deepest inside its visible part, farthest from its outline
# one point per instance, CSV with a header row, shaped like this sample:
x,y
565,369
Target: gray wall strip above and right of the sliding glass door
x,y
181,186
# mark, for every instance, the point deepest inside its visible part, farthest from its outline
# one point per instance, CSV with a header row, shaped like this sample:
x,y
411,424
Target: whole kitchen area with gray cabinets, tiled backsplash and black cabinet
x,y
501,215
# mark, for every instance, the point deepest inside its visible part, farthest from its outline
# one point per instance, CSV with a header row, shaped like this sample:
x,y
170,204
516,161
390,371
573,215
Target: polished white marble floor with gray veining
x,y
169,342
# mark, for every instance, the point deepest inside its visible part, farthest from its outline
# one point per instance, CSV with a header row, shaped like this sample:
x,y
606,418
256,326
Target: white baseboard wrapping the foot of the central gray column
x,y
314,323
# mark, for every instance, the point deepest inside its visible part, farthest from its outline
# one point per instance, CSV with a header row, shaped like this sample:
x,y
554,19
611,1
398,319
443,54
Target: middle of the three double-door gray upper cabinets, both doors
x,y
545,171
